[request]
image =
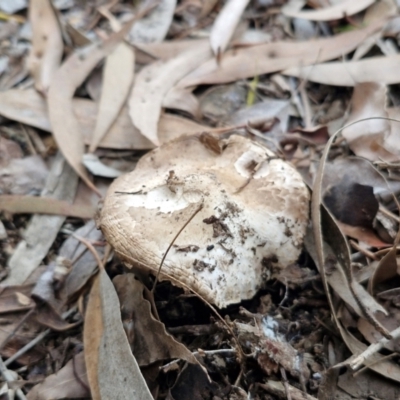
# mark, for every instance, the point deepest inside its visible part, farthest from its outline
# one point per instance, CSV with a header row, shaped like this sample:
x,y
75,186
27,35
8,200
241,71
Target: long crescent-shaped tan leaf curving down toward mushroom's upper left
x,y
73,72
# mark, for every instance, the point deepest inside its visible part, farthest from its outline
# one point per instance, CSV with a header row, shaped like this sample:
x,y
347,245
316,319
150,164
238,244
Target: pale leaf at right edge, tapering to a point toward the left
x,y
373,69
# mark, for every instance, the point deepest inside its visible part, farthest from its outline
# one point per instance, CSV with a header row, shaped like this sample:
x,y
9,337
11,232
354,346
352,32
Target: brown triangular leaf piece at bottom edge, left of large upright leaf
x,y
69,382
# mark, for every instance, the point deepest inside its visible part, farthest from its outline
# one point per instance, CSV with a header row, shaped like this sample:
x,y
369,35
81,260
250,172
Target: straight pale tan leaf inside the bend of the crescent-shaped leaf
x,y
117,80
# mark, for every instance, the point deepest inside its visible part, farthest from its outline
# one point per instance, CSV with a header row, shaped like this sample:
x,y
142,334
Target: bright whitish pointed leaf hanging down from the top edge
x,y
225,25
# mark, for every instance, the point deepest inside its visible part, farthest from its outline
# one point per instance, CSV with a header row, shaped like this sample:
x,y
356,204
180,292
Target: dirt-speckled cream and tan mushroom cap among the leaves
x,y
250,215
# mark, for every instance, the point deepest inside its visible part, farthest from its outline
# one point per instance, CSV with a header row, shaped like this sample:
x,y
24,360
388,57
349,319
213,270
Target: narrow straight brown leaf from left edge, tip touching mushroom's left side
x,y
44,205
